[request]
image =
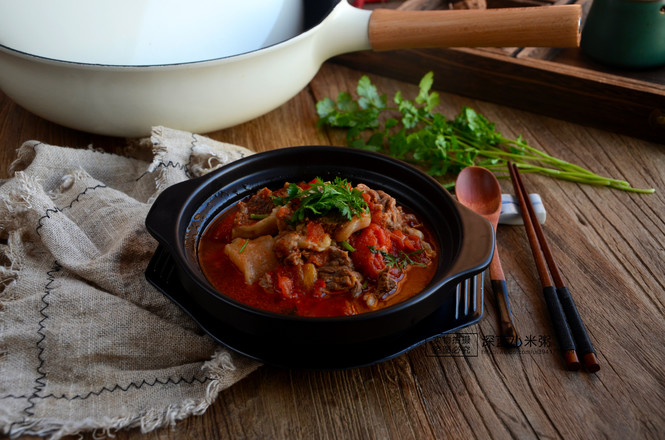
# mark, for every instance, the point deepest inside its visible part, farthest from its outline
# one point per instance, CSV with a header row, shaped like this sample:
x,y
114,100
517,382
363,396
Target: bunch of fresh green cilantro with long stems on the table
x,y
439,145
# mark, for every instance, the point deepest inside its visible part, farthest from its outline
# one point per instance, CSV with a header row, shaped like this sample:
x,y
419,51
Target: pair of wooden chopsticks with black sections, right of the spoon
x,y
563,312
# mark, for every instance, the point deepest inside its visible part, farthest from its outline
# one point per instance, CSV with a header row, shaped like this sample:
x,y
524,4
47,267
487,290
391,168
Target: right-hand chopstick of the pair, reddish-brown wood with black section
x,y
580,335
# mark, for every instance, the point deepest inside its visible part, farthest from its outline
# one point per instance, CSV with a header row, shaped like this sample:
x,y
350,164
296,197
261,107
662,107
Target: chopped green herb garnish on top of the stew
x,y
337,198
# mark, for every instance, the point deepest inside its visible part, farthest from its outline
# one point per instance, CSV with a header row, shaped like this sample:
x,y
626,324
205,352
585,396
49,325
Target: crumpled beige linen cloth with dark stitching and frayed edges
x,y
86,343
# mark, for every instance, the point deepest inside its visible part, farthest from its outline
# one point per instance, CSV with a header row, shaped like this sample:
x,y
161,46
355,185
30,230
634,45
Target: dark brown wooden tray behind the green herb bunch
x,y
562,83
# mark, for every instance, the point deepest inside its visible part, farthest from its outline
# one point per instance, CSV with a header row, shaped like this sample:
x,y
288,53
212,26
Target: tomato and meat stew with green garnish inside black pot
x,y
318,249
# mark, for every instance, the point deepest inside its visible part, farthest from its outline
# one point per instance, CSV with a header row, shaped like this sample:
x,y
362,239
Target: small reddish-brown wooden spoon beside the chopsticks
x,y
477,189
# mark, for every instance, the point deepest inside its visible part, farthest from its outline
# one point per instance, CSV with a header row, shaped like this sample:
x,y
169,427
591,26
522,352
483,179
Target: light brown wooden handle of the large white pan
x,y
537,26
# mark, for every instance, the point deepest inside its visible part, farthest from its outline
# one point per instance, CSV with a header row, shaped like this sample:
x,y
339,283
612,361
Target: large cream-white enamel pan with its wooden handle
x,y
120,67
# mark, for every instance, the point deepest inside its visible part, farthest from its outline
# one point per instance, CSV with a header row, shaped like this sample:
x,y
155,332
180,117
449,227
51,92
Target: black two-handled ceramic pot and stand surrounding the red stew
x,y
182,212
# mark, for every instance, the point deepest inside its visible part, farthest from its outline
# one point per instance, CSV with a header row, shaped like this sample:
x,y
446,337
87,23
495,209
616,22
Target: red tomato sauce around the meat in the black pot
x,y
289,296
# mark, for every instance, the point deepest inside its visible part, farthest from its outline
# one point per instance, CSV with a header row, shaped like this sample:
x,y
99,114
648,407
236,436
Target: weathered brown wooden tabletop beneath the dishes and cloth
x,y
610,247
